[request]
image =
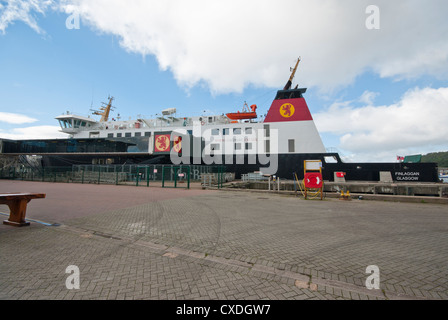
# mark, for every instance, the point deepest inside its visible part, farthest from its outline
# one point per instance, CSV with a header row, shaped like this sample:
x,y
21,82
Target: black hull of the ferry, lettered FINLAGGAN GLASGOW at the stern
x,y
287,164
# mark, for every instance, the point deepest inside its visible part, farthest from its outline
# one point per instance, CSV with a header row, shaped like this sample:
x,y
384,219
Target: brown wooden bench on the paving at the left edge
x,y
17,203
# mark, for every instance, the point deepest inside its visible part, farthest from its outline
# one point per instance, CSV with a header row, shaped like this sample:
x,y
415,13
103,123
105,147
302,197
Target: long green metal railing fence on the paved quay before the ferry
x,y
167,176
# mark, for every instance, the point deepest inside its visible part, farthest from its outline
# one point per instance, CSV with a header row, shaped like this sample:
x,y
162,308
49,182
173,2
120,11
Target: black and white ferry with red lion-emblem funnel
x,y
276,145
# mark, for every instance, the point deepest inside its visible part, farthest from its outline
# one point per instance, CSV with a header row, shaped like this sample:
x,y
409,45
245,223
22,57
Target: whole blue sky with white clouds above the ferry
x,y
374,94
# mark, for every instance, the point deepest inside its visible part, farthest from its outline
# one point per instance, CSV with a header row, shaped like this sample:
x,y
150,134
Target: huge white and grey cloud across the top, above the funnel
x,y
228,45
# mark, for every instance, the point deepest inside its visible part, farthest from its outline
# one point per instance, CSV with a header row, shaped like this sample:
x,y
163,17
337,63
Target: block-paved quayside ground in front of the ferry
x,y
153,243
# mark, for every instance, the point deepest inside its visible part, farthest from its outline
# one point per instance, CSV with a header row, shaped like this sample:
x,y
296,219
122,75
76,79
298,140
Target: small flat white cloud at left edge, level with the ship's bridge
x,y
35,132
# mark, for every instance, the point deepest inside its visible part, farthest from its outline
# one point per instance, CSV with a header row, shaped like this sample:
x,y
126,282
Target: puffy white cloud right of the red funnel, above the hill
x,y
416,124
